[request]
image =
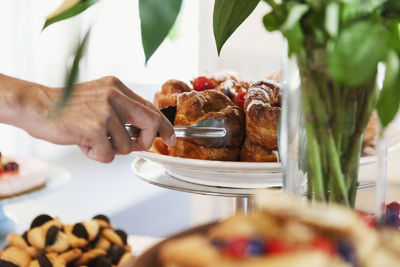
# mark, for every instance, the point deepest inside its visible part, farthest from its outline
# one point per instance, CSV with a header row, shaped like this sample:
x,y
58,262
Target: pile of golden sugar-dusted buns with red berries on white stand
x,y
225,94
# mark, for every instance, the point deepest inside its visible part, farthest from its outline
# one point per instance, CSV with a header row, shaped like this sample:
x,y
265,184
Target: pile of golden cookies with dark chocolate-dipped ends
x,y
48,243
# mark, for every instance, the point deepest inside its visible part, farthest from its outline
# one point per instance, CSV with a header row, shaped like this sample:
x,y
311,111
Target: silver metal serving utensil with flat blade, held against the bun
x,y
212,132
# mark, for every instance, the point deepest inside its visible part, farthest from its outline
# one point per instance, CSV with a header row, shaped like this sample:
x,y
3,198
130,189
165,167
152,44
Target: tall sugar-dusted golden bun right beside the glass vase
x,y
262,109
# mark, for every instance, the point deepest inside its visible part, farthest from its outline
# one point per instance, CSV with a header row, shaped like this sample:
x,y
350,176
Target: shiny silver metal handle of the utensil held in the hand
x,y
184,131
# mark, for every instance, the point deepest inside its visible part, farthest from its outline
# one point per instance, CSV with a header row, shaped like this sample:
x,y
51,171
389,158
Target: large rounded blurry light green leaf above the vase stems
x,y
357,52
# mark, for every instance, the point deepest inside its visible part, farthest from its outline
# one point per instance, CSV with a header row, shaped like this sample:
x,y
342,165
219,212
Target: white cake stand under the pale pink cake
x,y
57,177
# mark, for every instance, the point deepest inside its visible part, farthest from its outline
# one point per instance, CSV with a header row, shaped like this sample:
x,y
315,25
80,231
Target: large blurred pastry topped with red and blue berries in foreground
x,y
286,232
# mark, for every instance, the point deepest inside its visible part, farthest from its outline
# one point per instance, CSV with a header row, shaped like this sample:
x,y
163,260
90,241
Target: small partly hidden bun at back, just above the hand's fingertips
x,y
169,91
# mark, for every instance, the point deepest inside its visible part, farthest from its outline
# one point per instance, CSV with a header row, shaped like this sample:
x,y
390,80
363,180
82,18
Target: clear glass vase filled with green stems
x,y
322,129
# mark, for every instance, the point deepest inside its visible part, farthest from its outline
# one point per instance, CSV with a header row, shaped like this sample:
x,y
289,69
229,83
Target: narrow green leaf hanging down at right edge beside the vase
x,y
389,97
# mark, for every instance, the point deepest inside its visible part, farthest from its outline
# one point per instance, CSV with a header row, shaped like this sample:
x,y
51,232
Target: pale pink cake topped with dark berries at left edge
x,y
20,176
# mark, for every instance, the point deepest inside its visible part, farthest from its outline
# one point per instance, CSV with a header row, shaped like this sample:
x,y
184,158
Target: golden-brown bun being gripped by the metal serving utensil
x,y
195,106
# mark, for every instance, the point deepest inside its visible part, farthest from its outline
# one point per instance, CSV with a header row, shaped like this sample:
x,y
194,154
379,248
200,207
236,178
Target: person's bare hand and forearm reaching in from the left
x,y
93,118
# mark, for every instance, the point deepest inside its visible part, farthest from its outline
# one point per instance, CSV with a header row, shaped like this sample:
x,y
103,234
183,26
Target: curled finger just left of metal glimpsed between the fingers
x,y
120,139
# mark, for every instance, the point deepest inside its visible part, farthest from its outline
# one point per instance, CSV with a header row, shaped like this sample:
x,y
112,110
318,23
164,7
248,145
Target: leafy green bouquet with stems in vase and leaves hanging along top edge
x,y
338,45
